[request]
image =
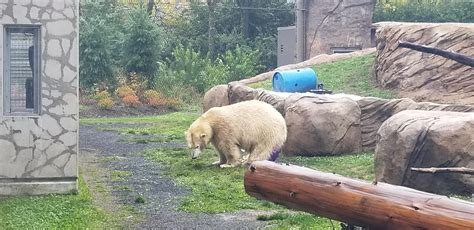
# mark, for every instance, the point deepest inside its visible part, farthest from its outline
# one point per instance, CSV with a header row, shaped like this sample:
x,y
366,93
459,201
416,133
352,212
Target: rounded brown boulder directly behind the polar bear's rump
x,y
321,125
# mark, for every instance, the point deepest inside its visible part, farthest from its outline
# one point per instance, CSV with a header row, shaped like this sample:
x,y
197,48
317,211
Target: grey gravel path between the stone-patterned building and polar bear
x,y
104,153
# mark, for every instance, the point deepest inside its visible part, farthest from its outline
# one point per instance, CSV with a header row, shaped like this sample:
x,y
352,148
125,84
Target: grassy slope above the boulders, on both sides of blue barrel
x,y
351,76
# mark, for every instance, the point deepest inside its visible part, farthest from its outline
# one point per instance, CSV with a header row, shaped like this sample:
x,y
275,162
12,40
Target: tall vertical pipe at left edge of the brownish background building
x,y
300,30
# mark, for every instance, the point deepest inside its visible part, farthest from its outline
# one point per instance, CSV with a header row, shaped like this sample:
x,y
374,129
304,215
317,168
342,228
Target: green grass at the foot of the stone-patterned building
x,y
52,212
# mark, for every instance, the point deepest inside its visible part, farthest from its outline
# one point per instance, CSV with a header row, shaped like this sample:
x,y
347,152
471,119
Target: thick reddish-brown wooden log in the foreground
x,y
372,205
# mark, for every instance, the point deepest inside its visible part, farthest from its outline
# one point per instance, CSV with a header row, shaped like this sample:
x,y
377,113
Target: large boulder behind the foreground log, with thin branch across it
x,y
420,139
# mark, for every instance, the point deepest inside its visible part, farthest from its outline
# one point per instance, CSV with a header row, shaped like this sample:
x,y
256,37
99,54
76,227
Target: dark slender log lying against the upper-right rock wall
x,y
463,59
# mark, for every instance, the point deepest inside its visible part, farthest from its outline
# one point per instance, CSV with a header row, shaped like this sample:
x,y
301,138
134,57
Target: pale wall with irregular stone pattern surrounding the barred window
x,y
39,154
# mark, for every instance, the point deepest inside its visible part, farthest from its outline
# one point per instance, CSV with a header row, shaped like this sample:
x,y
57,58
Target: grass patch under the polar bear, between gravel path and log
x,y
214,190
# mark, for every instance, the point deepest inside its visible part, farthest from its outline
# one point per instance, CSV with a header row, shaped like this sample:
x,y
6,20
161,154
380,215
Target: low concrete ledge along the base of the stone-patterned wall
x,y
38,187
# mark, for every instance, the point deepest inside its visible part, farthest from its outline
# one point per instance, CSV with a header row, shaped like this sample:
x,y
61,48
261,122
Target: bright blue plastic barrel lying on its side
x,y
299,80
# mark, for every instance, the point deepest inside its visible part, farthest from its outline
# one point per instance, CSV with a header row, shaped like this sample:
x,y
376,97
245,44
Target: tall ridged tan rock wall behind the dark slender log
x,y
423,76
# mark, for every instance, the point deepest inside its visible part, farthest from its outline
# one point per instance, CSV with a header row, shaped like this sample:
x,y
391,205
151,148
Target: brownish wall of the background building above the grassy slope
x,y
341,24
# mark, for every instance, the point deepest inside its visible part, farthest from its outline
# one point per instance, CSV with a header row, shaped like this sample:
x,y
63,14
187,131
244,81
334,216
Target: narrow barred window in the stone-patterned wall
x,y
21,70
